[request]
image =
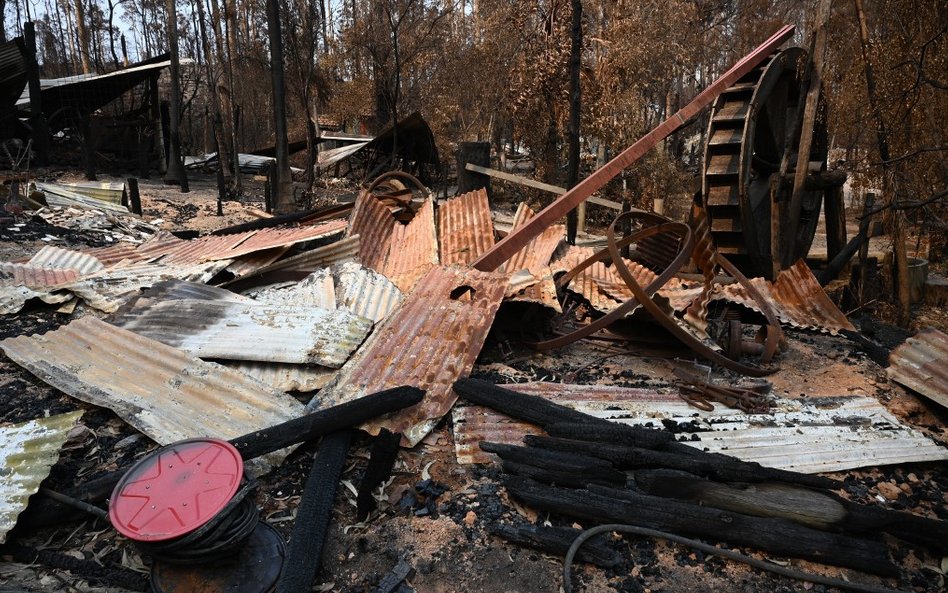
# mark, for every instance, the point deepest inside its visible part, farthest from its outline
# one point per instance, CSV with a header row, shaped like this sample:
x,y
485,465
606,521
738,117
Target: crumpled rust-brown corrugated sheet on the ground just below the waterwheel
x,y
795,296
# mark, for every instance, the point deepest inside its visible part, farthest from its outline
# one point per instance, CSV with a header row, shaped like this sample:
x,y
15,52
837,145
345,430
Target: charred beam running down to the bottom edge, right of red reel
x,y
312,517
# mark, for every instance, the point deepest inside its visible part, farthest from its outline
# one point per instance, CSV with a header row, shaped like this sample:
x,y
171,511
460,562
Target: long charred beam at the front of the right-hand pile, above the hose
x,y
775,536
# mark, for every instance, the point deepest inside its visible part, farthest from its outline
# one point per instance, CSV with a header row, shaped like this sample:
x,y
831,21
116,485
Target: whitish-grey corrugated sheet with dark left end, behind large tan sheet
x,y
251,331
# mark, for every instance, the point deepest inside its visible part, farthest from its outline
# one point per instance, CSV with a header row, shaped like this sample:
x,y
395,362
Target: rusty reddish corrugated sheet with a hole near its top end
x,y
428,342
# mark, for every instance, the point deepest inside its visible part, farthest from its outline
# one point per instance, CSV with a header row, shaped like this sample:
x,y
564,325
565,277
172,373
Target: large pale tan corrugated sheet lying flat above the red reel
x,y
167,394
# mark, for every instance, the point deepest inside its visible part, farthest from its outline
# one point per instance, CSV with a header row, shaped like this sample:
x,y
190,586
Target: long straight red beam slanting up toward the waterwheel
x,y
519,238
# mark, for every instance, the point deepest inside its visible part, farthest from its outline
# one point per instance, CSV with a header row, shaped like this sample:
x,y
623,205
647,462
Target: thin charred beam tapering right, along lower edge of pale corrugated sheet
x,y
694,461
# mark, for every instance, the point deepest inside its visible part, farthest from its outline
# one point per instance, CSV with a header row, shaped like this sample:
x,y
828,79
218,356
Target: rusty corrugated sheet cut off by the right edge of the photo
x,y
921,364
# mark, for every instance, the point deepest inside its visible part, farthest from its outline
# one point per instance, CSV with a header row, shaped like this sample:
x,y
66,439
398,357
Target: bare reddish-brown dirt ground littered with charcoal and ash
x,y
452,549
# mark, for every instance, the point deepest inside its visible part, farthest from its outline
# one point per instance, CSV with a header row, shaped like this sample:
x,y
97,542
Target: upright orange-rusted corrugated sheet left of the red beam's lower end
x,y
465,229
